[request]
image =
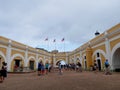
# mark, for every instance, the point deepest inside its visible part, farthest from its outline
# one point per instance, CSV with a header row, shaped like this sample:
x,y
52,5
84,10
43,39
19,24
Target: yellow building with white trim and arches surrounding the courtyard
x,y
103,46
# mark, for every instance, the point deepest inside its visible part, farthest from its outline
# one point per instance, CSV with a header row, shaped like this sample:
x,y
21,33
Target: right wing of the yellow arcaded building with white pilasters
x,y
103,46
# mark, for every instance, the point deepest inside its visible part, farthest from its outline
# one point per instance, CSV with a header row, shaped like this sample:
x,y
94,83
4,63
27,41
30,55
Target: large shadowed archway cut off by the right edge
x,y
116,60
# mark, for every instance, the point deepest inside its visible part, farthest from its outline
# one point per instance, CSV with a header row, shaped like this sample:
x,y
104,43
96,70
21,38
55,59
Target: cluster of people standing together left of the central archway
x,y
44,69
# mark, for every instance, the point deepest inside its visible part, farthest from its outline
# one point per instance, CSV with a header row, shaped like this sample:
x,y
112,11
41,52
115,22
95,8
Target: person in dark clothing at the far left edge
x,y
3,72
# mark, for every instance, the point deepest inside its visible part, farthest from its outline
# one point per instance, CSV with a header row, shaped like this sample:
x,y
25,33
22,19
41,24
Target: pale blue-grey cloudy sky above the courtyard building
x,y
32,21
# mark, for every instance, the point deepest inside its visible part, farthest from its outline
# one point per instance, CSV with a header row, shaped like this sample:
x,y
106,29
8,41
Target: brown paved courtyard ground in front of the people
x,y
70,80
